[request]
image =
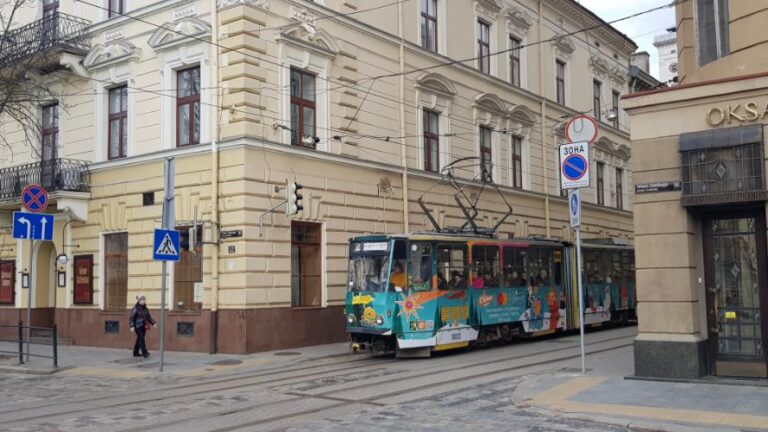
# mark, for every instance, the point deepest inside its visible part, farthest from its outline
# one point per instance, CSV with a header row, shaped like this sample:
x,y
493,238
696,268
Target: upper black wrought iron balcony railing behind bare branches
x,y
52,33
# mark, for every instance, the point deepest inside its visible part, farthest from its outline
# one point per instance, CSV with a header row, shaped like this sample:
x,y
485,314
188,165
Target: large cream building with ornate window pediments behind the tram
x,y
363,103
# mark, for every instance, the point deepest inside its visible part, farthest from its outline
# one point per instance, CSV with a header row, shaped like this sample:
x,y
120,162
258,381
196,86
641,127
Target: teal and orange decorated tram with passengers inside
x,y
419,293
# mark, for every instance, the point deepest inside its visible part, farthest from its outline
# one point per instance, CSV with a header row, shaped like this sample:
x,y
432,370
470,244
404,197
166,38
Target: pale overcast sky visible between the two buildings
x,y
641,29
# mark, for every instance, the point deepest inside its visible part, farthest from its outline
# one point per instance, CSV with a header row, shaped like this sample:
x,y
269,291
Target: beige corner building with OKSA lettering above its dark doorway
x,y
699,166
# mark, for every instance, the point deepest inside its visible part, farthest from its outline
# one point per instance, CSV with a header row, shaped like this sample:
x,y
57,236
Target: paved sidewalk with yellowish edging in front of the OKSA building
x,y
659,405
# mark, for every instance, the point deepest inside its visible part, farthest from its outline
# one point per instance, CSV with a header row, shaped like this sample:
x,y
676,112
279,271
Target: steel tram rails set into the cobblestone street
x,y
328,396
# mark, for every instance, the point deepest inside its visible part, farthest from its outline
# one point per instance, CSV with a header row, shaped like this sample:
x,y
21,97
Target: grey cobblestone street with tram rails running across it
x,y
481,390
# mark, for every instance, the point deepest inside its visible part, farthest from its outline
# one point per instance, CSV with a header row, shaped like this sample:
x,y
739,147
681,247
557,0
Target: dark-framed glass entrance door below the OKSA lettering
x,y
735,265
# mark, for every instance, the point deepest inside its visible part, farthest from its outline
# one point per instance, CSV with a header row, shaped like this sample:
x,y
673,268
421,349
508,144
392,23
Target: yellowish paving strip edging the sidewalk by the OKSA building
x,y
557,398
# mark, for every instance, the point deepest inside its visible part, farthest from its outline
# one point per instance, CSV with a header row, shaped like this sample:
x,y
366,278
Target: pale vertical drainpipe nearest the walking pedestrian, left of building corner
x,y
214,71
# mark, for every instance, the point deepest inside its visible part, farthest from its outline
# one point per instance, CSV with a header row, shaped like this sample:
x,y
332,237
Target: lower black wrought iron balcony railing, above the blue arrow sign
x,y
54,175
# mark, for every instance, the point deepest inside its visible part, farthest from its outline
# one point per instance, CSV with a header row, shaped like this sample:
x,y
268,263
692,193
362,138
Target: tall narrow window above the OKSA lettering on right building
x,y
712,30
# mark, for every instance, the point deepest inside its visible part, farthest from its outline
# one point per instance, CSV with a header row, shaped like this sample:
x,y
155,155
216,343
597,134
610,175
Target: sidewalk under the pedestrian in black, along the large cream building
x,y
120,363
